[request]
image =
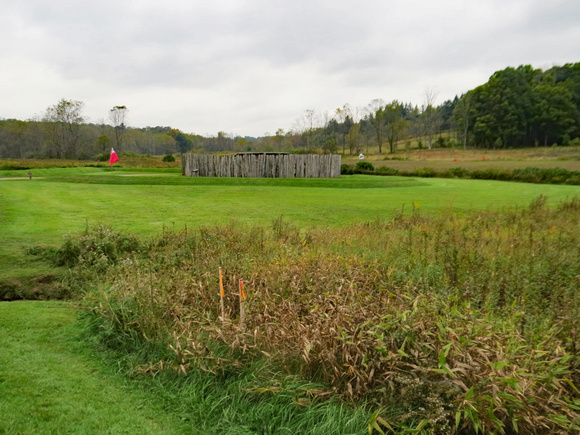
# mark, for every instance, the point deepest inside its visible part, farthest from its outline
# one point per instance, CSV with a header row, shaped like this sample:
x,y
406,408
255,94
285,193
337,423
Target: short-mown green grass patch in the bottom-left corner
x,y
51,383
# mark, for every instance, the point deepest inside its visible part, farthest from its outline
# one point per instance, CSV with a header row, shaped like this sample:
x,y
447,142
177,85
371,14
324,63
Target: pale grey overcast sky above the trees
x,y
250,67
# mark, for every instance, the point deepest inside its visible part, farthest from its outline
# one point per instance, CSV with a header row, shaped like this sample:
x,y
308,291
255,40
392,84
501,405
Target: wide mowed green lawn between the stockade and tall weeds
x,y
41,211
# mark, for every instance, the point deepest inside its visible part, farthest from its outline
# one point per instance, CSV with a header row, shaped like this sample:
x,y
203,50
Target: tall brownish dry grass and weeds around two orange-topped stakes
x,y
450,324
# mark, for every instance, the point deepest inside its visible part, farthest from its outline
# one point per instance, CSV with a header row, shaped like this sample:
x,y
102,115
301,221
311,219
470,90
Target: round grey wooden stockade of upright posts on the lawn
x,y
261,165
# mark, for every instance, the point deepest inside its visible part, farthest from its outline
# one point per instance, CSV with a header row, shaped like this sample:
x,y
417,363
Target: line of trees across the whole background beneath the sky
x,y
517,107
